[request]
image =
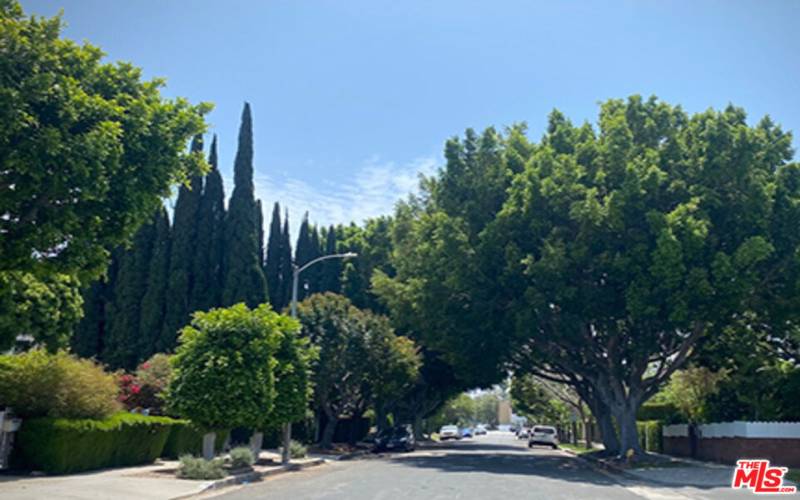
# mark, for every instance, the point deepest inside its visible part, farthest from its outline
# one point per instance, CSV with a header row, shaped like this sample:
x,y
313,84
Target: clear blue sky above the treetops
x,y
352,98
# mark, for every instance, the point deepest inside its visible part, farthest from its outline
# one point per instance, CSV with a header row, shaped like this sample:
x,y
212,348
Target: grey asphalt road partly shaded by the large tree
x,y
493,466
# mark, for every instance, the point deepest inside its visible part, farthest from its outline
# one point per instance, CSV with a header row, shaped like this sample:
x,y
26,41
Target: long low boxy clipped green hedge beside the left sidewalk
x,y
60,446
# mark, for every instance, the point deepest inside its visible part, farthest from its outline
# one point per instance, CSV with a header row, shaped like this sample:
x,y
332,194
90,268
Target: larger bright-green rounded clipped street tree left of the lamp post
x,y
224,368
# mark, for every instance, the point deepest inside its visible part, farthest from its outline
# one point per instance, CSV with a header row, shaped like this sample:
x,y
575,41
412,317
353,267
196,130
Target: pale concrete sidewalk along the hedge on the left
x,y
147,482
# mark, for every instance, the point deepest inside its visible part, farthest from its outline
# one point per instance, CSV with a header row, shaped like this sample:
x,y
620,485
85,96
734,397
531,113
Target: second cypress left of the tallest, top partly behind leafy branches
x,y
182,253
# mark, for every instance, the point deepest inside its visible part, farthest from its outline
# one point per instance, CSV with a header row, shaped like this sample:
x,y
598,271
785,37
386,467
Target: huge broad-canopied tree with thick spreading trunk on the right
x,y
599,257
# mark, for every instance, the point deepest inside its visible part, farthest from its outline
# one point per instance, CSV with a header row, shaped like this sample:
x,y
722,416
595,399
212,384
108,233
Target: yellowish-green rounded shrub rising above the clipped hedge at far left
x,y
38,384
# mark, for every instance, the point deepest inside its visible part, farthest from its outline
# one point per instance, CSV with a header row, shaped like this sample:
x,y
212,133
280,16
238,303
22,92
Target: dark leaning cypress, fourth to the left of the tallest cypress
x,y
122,343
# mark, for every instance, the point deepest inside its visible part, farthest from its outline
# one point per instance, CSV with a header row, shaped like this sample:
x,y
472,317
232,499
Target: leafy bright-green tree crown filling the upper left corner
x,y
87,149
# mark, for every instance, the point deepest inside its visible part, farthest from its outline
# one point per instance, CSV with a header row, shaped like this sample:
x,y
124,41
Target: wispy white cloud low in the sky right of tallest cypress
x,y
372,190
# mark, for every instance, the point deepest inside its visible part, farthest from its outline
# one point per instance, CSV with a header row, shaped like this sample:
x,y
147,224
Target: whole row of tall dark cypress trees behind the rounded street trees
x,y
207,257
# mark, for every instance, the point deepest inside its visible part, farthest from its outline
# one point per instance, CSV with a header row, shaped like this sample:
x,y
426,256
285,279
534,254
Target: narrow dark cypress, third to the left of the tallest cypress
x,y
151,322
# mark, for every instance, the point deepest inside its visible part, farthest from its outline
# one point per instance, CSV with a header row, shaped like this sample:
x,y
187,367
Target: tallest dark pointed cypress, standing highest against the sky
x,y
244,279
